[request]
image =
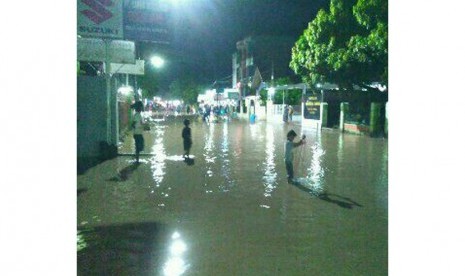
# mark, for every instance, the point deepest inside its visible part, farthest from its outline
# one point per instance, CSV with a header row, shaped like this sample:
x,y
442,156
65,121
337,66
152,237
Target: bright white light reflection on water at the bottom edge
x,y
176,265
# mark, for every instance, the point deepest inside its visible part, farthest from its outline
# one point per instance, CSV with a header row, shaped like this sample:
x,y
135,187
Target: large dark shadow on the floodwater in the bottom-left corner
x,y
123,249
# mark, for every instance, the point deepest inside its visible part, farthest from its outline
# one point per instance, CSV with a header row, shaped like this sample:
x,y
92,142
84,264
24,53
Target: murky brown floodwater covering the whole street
x,y
230,210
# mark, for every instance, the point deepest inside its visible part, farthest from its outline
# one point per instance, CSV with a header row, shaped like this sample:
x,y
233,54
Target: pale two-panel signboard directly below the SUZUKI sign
x,y
94,49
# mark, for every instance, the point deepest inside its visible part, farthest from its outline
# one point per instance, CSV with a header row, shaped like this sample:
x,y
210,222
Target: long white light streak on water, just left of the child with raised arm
x,y
270,174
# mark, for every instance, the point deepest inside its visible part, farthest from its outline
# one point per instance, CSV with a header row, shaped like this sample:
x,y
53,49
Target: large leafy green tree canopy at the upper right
x,y
346,45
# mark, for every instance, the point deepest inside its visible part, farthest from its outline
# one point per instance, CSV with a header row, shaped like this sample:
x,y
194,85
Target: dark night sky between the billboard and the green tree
x,y
205,32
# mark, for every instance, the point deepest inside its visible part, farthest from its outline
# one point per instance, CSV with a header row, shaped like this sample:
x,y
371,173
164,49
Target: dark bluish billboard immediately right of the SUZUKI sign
x,y
146,20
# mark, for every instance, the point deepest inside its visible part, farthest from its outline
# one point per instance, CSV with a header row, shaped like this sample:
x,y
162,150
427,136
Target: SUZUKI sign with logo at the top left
x,y
100,18
